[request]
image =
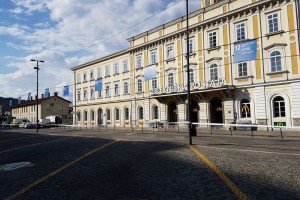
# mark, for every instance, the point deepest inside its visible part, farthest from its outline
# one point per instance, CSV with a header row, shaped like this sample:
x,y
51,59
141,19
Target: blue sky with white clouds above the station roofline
x,y
67,33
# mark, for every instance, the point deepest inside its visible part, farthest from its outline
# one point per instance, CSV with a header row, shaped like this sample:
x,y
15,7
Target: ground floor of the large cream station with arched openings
x,y
277,104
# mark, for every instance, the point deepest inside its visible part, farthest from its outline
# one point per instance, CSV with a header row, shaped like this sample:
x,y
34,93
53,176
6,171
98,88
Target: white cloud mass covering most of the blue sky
x,y
78,24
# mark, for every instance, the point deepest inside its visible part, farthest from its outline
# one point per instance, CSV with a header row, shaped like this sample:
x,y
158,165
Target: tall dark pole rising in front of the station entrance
x,y
189,117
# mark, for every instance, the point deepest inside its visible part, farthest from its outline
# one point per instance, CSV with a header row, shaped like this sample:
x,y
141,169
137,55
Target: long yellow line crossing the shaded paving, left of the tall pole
x,y
37,182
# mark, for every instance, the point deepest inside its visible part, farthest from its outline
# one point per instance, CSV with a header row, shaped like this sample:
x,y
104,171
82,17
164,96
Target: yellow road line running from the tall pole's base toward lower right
x,y
240,195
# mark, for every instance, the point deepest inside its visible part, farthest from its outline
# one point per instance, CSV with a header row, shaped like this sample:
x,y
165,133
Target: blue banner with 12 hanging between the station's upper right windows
x,y
244,51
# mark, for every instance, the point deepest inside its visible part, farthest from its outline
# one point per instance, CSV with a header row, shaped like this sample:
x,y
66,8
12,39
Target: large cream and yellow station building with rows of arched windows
x,y
224,88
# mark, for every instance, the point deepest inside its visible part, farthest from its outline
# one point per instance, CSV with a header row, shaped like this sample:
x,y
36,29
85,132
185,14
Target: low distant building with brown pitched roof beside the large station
x,y
48,106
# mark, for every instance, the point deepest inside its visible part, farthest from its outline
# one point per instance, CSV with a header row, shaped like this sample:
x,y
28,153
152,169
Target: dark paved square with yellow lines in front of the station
x,y
73,164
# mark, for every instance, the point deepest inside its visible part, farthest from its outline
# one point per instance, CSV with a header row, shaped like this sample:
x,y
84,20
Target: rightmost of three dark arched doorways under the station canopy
x,y
216,111
